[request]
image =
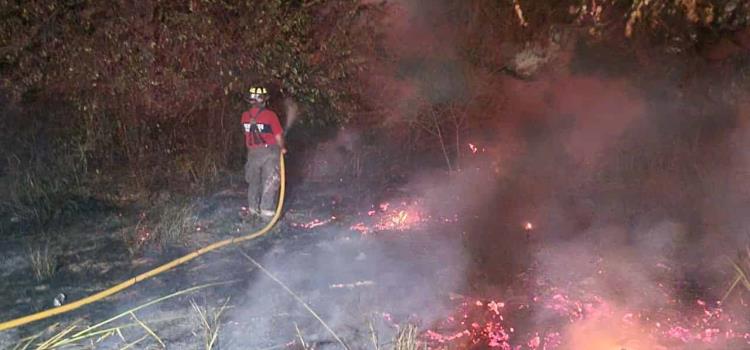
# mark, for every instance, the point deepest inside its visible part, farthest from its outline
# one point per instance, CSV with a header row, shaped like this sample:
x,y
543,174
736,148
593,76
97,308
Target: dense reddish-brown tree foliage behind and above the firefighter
x,y
155,77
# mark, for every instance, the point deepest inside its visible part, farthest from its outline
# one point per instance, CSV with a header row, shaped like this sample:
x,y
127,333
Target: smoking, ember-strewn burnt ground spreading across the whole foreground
x,y
440,254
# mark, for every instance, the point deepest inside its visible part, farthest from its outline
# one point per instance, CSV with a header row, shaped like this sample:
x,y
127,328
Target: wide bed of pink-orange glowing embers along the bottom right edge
x,y
588,323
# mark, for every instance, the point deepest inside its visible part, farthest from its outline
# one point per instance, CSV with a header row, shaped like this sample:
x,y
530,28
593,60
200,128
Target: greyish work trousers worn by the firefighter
x,y
262,176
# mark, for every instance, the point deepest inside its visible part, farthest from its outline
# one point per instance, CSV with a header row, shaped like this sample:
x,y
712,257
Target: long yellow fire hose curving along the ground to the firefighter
x,y
148,274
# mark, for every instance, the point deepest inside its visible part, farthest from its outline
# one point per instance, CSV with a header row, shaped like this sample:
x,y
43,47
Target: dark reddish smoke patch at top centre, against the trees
x,y
422,66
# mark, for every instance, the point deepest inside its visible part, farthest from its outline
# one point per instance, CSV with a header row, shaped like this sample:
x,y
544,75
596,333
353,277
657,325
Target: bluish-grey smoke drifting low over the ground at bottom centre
x,y
363,285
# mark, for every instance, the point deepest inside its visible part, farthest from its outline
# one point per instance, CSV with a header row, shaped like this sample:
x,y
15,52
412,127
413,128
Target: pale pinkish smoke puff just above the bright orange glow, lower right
x,y
604,263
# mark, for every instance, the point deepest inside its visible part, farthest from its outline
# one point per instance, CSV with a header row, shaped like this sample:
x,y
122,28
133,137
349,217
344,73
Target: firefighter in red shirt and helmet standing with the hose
x,y
264,140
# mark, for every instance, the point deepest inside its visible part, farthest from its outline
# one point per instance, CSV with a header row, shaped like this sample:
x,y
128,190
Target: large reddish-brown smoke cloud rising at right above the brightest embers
x,y
642,208
